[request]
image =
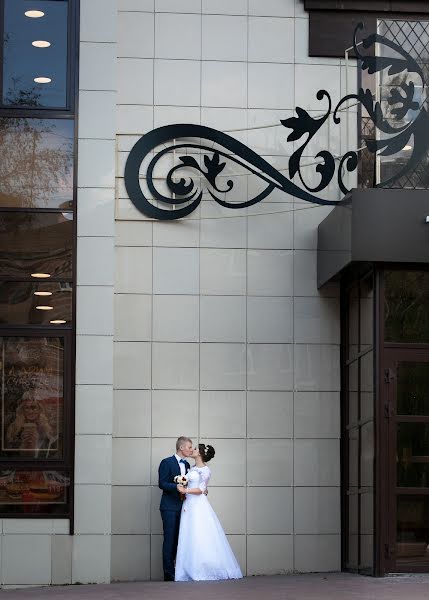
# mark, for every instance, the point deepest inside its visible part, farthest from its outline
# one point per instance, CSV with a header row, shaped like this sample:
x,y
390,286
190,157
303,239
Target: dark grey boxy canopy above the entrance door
x,y
374,225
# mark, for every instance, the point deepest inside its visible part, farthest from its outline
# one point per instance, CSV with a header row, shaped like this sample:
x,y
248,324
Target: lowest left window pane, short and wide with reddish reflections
x,y
33,492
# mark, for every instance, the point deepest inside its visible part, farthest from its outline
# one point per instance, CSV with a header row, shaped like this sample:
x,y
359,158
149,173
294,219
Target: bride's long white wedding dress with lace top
x,y
203,552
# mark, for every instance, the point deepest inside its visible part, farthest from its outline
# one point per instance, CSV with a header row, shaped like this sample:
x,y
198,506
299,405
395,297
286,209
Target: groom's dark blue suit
x,y
170,507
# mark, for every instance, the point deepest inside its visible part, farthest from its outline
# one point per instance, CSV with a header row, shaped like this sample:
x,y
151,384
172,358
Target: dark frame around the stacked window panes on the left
x,y
67,332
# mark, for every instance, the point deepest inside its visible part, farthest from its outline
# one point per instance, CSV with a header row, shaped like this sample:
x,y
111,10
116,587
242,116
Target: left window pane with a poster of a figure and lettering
x,y
32,397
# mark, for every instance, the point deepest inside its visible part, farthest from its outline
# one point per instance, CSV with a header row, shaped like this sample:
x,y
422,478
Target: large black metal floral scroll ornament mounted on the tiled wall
x,y
200,153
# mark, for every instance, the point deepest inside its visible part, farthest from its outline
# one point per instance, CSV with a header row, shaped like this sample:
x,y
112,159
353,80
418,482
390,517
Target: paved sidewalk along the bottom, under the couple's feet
x,y
335,586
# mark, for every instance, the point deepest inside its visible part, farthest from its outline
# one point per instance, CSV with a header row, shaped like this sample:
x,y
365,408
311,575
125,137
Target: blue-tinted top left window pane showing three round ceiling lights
x,y
35,44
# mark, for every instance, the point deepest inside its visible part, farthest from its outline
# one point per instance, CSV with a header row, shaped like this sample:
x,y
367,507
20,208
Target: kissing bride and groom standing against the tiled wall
x,y
195,547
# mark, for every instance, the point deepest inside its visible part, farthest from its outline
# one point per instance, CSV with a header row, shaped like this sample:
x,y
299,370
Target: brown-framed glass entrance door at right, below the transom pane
x,y
406,416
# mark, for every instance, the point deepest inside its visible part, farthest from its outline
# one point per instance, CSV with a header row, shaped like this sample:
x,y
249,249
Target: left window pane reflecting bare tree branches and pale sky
x,y
36,163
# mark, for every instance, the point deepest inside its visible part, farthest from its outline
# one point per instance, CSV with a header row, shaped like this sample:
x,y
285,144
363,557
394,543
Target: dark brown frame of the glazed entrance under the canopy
x,y
384,473
